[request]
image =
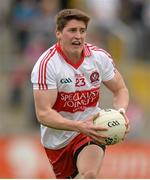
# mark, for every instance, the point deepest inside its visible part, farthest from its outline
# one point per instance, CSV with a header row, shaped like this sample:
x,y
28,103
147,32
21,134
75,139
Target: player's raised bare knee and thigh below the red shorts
x,y
90,158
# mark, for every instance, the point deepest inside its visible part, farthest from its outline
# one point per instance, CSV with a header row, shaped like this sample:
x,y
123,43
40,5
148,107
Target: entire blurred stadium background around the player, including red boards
x,y
122,27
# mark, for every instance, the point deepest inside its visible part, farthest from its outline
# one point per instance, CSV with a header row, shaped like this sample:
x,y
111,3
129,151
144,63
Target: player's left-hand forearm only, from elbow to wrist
x,y
54,120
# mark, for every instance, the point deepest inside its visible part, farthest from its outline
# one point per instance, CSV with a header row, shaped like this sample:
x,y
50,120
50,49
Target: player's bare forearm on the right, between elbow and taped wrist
x,y
121,99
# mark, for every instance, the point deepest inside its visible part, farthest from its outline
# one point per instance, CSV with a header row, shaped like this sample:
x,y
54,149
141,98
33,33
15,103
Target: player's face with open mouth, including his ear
x,y
72,37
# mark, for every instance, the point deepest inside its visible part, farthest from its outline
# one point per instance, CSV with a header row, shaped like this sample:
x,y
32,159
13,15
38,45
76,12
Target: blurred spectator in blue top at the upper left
x,y
23,12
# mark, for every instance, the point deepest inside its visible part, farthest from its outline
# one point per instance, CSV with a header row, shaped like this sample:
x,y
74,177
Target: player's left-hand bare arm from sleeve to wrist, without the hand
x,y
44,101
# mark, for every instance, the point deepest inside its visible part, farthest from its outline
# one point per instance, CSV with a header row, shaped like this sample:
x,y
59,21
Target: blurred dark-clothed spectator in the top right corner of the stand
x,y
136,13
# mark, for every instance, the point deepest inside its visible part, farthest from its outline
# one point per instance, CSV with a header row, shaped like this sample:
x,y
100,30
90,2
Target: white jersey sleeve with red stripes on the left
x,y
43,75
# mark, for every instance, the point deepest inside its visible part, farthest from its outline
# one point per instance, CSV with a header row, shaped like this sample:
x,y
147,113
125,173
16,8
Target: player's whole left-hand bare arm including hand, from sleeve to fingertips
x,y
44,101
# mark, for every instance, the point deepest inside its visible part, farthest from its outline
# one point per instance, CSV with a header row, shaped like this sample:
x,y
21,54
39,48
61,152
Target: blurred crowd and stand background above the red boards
x,y
121,27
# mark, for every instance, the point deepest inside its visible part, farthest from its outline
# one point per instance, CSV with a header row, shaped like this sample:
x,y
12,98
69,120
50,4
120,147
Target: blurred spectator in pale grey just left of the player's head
x,y
44,24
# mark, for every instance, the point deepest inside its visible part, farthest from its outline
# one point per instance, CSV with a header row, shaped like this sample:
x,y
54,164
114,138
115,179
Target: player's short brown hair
x,y
66,15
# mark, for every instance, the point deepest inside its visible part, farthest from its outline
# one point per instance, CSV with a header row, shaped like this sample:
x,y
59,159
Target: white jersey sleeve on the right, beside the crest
x,y
107,65
